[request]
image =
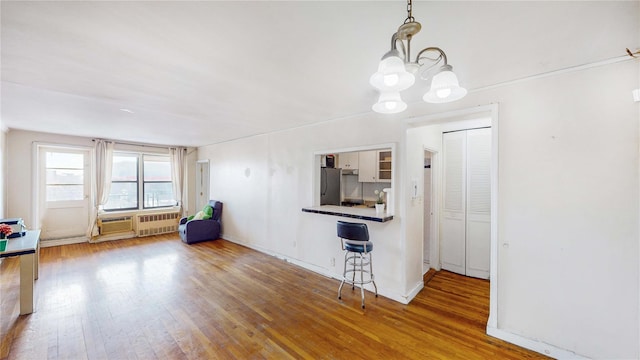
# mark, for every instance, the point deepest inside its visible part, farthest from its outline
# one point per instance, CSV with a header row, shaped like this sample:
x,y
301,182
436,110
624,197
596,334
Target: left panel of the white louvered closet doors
x,y
452,240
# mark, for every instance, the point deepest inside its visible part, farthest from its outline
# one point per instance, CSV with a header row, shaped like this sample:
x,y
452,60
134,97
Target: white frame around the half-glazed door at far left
x,y
35,184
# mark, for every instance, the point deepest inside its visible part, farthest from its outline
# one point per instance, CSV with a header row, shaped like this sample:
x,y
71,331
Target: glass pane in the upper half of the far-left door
x,y
65,176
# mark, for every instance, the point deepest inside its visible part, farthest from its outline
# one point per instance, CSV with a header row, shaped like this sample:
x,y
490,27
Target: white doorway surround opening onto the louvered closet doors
x,y
426,133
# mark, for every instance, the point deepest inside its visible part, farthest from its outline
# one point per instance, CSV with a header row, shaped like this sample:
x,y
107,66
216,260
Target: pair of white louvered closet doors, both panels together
x,y
465,237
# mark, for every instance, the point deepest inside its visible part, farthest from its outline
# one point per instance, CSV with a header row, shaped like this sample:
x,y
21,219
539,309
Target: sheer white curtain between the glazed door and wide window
x,y
104,166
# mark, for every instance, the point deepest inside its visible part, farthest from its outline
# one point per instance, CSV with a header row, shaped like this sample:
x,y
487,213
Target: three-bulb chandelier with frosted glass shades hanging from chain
x,y
396,71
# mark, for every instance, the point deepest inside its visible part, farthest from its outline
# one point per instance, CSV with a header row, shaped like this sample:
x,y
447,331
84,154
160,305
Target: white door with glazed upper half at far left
x,y
64,188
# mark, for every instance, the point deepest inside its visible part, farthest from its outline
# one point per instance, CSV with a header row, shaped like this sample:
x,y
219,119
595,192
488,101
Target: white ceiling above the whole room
x,y
197,73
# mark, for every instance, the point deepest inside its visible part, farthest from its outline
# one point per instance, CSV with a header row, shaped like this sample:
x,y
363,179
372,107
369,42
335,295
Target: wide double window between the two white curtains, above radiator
x,y
128,191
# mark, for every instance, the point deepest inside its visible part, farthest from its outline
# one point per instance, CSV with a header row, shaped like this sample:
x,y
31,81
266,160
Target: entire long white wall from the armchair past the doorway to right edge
x,y
568,205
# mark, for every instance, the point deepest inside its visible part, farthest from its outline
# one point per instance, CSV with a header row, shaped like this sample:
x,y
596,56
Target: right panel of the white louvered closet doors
x,y
478,203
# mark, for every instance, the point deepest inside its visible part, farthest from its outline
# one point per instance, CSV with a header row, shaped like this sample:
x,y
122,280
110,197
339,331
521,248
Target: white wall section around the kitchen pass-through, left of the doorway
x,y
265,181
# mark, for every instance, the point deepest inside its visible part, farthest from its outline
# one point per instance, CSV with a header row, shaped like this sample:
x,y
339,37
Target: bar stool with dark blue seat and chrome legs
x,y
355,242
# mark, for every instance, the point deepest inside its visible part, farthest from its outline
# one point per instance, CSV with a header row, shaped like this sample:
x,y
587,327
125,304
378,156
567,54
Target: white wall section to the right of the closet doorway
x,y
568,226
